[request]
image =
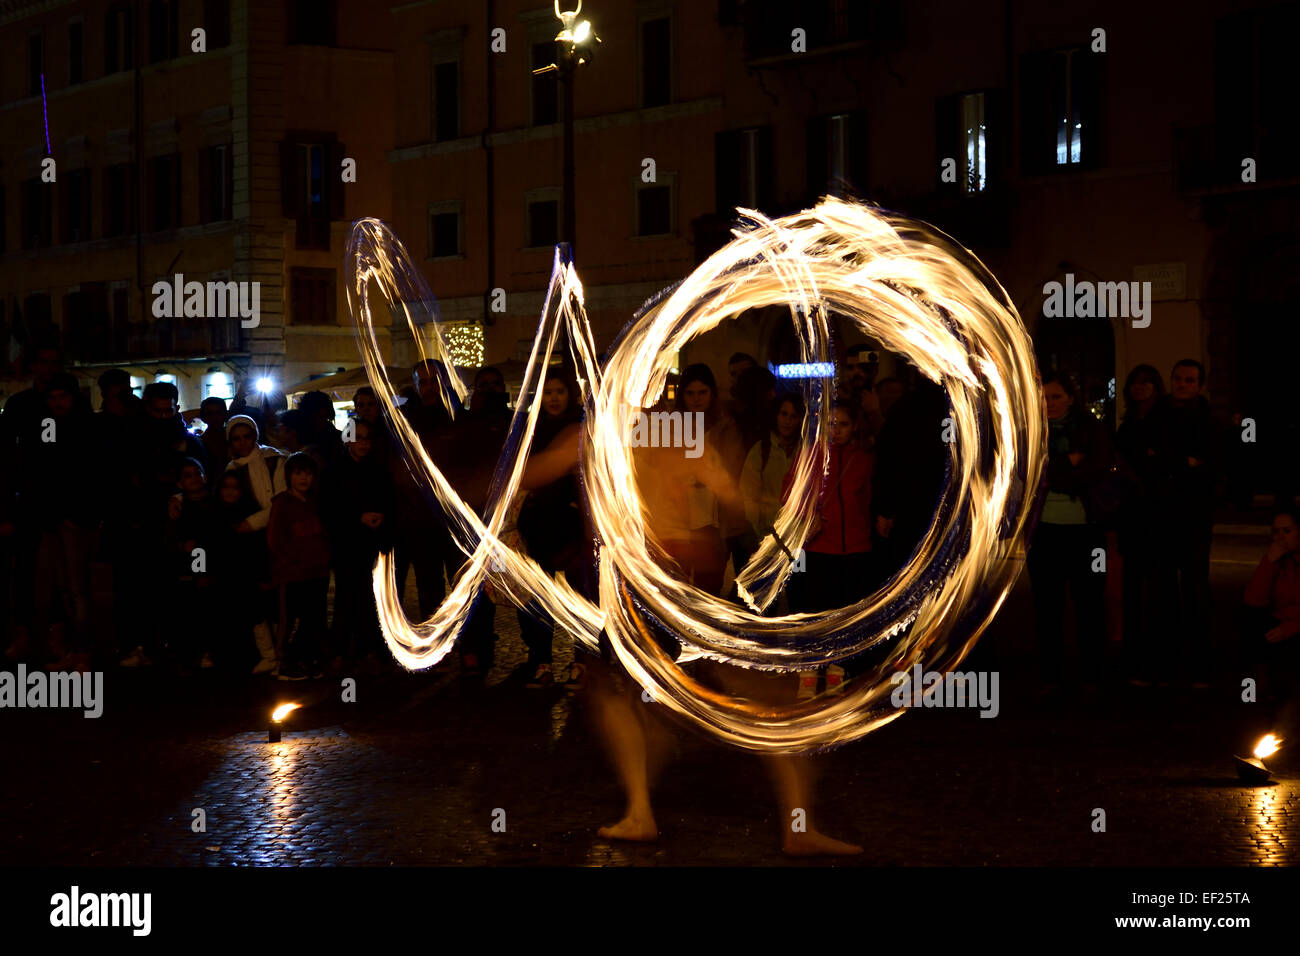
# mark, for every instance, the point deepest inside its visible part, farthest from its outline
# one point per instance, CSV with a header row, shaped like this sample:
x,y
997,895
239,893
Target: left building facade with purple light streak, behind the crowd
x,y
202,139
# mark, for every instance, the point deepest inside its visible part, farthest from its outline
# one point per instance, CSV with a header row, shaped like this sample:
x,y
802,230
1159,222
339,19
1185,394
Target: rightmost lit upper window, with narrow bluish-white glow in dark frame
x,y
1060,103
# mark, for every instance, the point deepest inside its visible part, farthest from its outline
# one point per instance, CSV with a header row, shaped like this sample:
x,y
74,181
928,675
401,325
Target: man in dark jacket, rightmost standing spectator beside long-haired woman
x,y
1184,444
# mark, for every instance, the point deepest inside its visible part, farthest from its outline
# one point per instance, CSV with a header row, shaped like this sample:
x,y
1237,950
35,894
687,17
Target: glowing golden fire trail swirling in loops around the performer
x,y
895,280
